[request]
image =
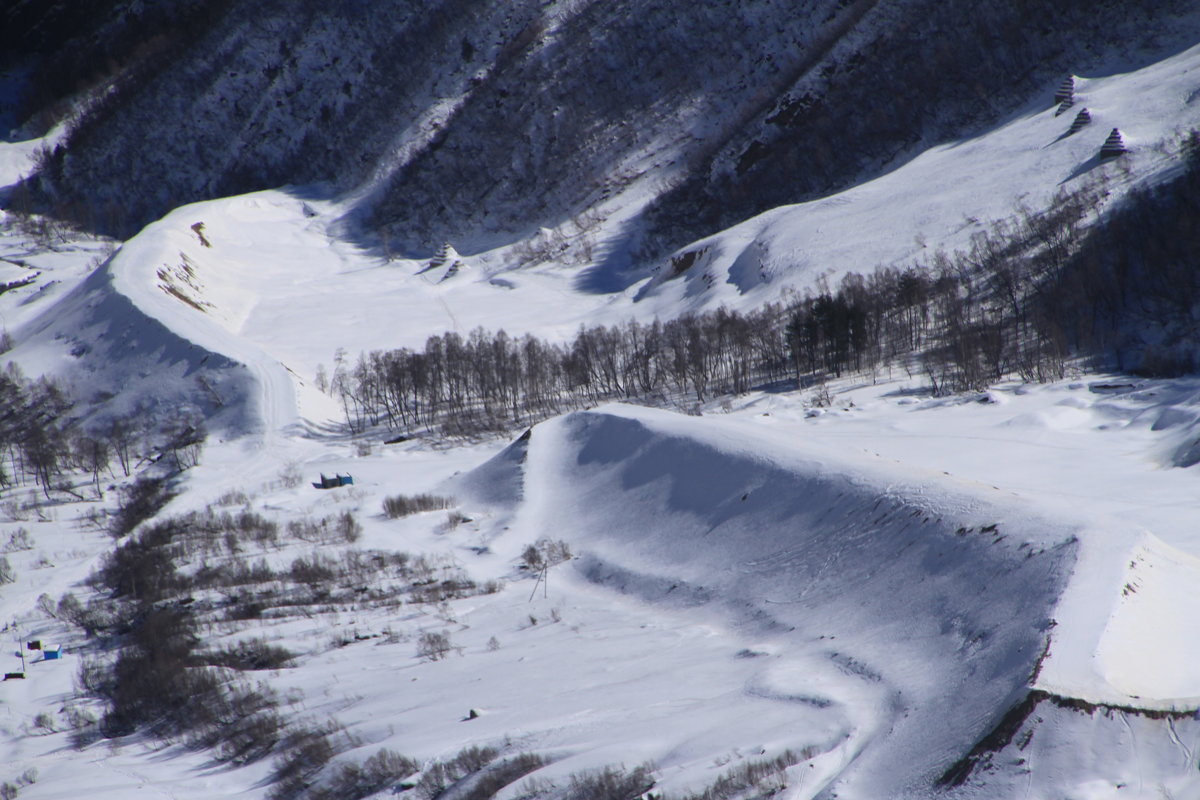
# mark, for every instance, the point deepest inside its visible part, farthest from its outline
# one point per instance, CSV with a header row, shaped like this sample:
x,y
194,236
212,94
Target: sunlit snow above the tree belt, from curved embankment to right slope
x,y
268,260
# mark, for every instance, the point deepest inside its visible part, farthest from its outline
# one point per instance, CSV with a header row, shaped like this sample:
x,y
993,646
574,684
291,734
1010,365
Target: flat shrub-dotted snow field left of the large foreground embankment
x,y
548,688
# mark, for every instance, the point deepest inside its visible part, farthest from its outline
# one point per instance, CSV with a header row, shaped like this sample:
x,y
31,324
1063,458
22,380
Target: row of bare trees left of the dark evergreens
x,y
490,381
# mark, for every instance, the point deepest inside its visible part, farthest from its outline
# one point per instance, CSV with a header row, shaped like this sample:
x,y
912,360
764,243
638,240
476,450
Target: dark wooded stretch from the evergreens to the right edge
x,y
1030,296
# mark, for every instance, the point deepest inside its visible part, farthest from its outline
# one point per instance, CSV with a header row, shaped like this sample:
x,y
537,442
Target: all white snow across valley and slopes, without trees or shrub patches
x,y
871,585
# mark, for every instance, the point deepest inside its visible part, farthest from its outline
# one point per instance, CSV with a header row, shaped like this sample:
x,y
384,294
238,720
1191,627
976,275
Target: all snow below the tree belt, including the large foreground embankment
x,y
872,607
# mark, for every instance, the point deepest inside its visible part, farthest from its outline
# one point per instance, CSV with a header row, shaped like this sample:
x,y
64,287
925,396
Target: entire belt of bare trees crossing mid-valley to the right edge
x,y
1031,294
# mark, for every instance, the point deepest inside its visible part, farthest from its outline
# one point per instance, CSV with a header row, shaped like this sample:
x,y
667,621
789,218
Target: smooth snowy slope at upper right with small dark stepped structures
x,y
943,197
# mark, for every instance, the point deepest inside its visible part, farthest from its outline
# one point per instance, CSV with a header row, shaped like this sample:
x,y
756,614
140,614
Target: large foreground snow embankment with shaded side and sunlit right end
x,y
922,606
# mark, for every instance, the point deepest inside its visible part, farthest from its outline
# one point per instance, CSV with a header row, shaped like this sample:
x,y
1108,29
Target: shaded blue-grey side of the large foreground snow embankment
x,y
919,611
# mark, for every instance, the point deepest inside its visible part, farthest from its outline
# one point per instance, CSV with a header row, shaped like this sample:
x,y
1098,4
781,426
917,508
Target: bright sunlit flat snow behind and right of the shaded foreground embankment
x,y
1100,460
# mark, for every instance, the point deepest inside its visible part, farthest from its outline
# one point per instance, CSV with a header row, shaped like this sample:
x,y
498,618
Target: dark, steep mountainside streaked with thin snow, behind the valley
x,y
483,122
